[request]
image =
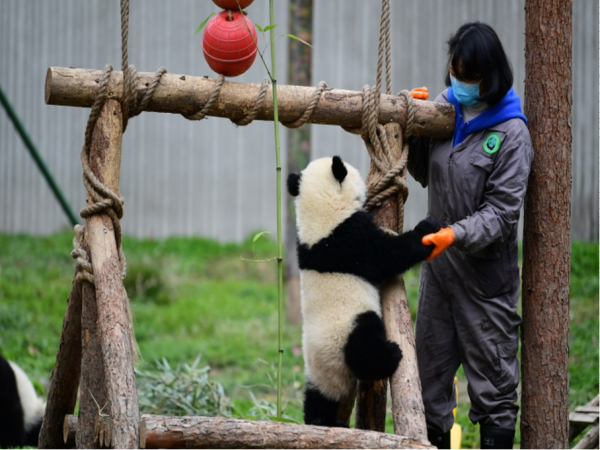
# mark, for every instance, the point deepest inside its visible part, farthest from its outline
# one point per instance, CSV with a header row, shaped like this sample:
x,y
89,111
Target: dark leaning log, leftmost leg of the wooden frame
x,y
62,393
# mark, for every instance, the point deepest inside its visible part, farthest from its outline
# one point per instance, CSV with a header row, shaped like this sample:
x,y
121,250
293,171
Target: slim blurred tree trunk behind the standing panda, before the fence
x,y
299,73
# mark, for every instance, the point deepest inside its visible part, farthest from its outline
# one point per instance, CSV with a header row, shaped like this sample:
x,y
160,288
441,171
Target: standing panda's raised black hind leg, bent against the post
x,y
368,353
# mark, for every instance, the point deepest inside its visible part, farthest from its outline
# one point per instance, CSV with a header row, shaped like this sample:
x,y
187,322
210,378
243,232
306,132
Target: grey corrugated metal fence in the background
x,y
211,178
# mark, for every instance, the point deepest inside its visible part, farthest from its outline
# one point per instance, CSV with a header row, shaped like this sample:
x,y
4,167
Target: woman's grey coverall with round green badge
x,y
467,312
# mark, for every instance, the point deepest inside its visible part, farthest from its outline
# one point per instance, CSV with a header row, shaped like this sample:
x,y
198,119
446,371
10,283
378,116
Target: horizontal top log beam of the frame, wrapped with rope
x,y
184,94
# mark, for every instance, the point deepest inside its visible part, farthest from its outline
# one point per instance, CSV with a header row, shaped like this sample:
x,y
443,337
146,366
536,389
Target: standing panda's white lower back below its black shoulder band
x,y
330,304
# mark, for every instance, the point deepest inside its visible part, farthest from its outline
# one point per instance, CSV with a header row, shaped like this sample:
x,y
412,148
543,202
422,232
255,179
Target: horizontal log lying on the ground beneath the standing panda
x,y
196,432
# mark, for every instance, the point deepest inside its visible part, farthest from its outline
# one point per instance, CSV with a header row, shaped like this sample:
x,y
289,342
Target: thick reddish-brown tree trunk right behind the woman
x,y
546,240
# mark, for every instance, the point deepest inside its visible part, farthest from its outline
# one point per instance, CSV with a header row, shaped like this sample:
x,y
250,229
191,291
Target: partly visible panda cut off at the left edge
x,y
21,411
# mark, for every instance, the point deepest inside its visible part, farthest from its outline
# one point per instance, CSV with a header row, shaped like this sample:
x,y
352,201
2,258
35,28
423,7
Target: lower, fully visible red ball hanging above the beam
x,y
229,48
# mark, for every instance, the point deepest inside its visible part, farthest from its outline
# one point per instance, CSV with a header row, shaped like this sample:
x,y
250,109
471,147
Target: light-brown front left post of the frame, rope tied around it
x,y
111,298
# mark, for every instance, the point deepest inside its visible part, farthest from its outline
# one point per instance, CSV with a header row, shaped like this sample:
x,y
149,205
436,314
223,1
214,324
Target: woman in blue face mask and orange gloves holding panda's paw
x,y
468,295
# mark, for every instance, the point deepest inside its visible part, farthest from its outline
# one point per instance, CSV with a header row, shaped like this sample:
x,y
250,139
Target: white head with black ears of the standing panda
x,y
327,192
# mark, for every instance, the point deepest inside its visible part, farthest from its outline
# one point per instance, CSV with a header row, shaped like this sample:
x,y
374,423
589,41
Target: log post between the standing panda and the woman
x,y
407,403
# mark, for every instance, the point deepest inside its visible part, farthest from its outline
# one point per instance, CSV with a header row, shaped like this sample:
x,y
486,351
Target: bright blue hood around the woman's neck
x,y
507,108
